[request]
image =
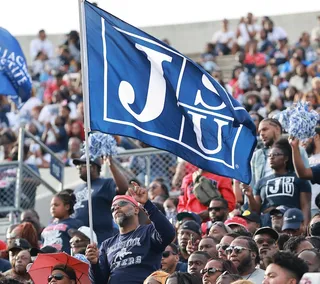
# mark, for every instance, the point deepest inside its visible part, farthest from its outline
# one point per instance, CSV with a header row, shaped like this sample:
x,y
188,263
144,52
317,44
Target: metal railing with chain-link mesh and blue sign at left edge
x,y
20,181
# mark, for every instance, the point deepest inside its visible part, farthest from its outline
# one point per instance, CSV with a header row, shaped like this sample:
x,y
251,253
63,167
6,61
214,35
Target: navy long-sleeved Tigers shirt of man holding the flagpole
x,y
130,258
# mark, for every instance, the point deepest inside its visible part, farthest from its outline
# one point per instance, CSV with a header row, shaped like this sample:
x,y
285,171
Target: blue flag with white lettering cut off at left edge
x,y
15,80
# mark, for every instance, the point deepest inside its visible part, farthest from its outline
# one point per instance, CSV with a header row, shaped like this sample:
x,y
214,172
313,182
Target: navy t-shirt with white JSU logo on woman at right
x,y
276,190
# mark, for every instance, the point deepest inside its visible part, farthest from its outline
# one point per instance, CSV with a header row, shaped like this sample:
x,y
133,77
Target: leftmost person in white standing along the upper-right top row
x,y
223,39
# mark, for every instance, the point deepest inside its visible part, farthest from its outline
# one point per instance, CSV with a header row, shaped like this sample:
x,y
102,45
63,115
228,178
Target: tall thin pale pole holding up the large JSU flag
x,y
85,94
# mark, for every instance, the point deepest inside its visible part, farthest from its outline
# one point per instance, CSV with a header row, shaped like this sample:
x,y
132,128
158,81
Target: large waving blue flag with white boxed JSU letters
x,y
142,88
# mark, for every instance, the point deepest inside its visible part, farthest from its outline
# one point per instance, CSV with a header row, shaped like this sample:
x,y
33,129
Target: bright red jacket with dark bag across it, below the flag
x,y
188,201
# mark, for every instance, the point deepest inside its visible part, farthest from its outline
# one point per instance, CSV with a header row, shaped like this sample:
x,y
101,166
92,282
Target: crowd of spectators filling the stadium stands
x,y
265,232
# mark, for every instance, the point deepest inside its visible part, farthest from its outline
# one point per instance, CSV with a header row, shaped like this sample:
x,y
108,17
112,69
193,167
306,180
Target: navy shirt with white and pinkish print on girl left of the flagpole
x,y
56,234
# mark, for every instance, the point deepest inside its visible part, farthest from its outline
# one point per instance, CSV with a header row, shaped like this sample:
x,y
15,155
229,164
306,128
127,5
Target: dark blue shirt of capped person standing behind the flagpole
x,y
103,192
